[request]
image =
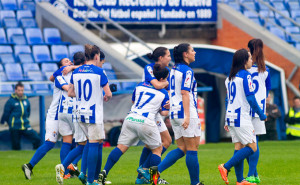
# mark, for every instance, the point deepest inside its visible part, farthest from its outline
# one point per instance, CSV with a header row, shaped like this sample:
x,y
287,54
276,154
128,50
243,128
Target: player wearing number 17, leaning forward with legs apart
x,y
140,124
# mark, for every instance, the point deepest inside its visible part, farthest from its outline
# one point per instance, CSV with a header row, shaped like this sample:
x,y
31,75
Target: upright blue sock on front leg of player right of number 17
x,y
192,164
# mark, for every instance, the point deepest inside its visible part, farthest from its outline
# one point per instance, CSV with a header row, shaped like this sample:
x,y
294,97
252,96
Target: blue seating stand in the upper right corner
x,y
276,23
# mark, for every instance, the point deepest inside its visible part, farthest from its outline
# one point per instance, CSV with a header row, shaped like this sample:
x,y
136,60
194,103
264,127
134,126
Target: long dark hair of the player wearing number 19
x,y
239,60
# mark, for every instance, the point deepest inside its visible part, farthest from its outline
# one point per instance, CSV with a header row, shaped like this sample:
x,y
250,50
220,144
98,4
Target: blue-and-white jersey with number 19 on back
x,y
238,108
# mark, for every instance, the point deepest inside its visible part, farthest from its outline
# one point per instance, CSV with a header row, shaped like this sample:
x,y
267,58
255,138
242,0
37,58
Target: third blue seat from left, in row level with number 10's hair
x,y
41,53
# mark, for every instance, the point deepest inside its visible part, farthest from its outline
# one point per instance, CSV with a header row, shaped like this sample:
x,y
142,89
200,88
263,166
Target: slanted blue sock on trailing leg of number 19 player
x,y
238,157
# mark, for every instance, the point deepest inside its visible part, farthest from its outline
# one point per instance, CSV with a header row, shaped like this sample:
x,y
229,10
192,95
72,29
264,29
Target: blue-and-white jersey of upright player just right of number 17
x,y
182,78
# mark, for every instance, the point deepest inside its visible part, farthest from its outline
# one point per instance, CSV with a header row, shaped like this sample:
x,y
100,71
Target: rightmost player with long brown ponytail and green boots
x,y
262,84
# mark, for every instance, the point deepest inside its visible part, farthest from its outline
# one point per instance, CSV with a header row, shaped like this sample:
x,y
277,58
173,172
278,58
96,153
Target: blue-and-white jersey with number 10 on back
x,y
89,81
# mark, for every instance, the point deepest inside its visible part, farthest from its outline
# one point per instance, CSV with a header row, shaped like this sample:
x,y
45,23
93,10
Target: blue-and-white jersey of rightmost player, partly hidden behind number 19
x,y
261,84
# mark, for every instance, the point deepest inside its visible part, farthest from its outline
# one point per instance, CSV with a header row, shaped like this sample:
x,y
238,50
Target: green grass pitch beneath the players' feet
x,y
279,164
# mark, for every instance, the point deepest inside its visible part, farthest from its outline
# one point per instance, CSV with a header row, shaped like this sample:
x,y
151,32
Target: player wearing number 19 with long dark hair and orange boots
x,y
241,99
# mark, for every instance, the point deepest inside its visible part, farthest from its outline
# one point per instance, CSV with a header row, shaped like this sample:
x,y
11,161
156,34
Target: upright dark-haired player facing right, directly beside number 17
x,y
183,113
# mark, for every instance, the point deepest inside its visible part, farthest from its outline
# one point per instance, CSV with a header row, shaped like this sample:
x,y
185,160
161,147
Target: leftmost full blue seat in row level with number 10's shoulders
x,y
13,72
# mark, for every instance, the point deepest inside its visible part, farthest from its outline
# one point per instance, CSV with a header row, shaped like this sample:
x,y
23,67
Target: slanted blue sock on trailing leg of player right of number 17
x,y
170,159
